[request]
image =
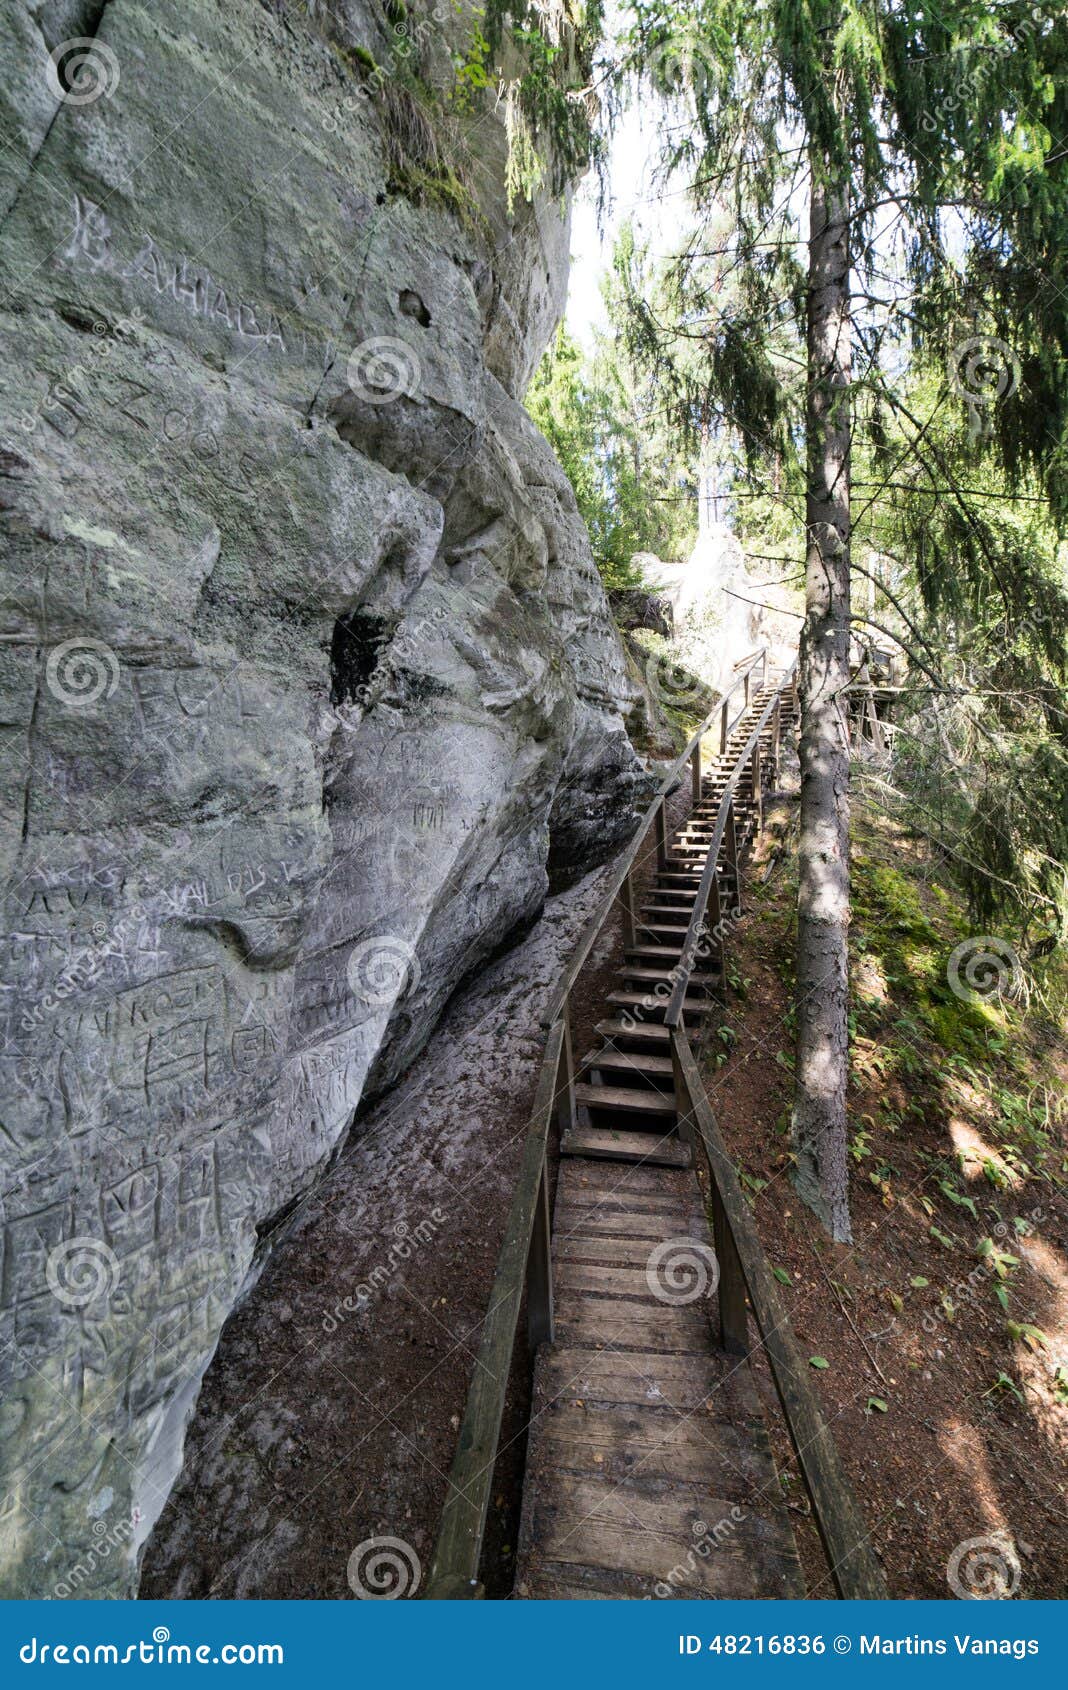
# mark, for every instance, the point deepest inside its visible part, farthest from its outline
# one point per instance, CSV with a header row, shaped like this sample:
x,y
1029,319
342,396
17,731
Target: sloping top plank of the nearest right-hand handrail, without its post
x,y
839,1517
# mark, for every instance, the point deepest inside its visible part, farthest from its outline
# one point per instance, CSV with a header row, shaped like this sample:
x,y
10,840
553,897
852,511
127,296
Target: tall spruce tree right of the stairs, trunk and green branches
x,y
944,123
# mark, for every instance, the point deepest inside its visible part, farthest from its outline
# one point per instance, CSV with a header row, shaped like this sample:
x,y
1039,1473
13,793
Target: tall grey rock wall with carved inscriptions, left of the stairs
x,y
307,677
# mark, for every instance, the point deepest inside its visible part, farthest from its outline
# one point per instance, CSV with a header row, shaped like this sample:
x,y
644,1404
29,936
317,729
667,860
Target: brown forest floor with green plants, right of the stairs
x,y
940,1336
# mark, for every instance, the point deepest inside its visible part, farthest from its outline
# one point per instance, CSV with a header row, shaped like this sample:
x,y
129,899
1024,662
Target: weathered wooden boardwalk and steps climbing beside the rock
x,y
650,1469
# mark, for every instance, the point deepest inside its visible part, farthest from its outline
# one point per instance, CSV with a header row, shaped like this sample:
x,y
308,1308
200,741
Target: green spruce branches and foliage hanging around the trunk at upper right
x,y
942,128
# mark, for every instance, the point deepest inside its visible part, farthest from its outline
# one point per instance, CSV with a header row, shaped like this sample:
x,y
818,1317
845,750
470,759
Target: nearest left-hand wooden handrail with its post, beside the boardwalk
x,y
525,1257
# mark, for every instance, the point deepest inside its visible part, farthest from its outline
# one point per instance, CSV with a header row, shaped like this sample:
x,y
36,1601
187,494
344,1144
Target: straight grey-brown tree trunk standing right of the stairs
x,y
824,893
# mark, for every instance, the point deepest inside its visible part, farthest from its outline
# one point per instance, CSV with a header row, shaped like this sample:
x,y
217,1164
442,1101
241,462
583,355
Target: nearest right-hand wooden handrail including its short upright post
x,y
741,1258
